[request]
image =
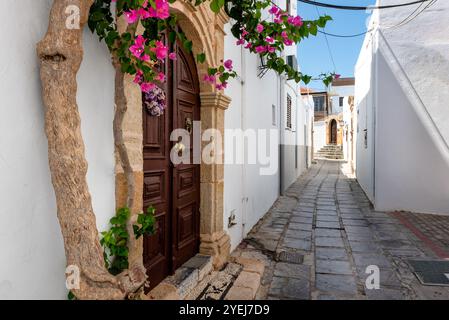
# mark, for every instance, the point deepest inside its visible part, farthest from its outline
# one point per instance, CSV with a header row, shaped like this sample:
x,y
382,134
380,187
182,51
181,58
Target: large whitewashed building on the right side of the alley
x,y
401,97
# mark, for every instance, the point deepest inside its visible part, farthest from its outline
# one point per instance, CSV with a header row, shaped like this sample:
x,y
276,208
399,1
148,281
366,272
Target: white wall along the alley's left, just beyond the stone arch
x,y
247,193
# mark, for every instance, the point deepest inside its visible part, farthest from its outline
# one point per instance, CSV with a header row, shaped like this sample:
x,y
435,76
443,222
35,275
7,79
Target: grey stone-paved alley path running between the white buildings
x,y
318,240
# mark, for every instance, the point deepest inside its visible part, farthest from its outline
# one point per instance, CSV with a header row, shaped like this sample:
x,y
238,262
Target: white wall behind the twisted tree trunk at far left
x,y
33,260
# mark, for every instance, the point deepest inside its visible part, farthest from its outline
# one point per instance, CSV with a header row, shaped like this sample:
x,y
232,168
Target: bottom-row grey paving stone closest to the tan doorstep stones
x,y
290,288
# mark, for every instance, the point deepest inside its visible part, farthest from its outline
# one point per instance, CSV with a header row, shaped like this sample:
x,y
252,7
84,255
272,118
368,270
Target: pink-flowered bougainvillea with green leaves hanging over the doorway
x,y
141,55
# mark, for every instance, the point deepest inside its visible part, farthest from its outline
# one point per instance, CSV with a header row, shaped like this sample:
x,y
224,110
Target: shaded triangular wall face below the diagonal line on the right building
x,y
411,175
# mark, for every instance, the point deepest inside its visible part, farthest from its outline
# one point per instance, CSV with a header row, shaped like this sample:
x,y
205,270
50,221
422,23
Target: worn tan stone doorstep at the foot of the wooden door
x,y
196,280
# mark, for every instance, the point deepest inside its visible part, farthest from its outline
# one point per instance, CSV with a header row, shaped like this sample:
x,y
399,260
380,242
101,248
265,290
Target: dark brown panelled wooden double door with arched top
x,y
173,189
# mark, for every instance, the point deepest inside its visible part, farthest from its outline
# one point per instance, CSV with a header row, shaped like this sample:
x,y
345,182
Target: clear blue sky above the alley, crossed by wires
x,y
313,54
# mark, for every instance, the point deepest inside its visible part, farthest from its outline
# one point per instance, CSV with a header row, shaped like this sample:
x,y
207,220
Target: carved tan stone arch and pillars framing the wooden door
x,y
206,30
